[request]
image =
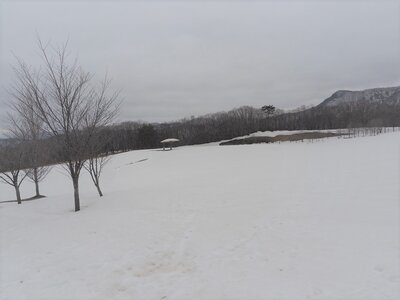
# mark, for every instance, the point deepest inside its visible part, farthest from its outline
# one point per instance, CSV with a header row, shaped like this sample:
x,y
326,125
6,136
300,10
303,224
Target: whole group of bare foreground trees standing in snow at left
x,y
59,116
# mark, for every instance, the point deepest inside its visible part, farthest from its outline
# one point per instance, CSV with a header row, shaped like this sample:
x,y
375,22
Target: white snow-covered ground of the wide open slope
x,y
267,221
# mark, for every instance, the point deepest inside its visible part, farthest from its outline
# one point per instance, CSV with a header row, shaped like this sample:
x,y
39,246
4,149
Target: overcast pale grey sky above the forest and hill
x,y
175,59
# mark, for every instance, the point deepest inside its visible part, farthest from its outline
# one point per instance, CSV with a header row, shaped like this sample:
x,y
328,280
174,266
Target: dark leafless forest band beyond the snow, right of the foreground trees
x,y
245,120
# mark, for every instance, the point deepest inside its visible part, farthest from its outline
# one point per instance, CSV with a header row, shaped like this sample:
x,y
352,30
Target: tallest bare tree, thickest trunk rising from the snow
x,y
70,107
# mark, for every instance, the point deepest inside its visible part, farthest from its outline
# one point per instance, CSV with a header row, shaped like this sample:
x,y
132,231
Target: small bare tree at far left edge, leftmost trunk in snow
x,y
11,166
